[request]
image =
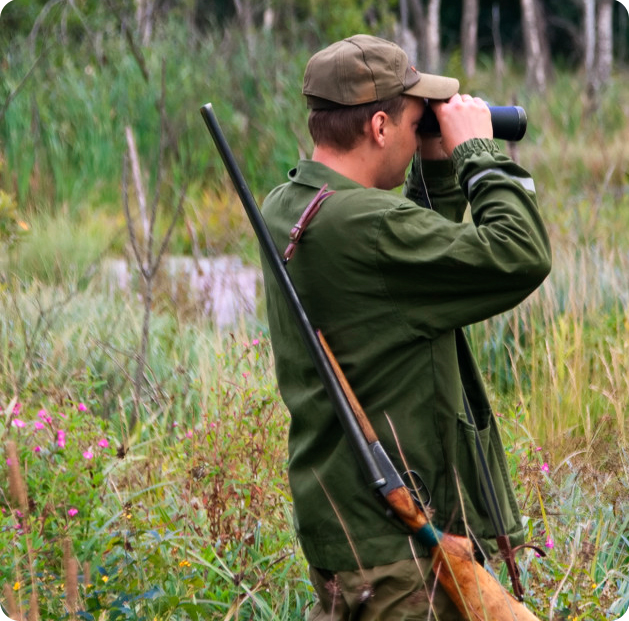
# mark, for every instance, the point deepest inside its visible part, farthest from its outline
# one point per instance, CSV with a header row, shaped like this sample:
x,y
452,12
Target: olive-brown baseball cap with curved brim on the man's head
x,y
362,69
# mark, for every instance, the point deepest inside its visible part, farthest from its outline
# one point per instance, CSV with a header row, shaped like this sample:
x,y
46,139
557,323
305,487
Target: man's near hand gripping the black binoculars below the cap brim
x,y
461,118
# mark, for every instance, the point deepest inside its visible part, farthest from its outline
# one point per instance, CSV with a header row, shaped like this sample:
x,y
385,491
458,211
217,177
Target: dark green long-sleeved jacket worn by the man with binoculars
x,y
388,281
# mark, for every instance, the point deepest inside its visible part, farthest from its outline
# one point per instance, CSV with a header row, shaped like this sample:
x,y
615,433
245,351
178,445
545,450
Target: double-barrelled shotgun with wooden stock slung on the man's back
x,y
476,593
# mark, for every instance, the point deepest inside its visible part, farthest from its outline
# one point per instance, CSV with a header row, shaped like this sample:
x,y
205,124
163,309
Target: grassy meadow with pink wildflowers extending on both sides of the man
x,y
166,498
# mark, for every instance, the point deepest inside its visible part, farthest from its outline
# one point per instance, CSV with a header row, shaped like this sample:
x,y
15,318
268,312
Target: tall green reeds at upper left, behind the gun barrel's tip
x,y
63,136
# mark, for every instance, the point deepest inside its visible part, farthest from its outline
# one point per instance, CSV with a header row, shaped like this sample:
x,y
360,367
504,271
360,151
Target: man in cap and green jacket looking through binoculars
x,y
389,279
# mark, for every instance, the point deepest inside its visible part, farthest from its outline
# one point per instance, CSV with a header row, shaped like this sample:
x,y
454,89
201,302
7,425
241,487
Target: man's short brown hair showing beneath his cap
x,y
341,128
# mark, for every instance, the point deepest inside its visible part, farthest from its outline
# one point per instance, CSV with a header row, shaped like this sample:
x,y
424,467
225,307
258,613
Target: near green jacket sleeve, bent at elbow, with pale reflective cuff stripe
x,y
442,274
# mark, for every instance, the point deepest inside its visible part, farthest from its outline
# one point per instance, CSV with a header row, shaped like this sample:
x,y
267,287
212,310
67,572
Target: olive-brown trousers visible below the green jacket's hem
x,y
402,591
